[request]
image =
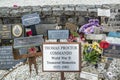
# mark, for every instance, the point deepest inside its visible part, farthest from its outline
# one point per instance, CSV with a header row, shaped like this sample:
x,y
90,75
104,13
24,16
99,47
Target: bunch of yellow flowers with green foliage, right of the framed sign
x,y
92,52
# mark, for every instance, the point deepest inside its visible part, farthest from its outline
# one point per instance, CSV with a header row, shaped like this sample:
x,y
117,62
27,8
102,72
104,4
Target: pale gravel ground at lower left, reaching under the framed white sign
x,y
21,72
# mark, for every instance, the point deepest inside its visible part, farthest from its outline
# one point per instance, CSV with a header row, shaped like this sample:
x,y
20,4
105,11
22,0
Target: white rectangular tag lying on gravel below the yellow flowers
x,y
88,76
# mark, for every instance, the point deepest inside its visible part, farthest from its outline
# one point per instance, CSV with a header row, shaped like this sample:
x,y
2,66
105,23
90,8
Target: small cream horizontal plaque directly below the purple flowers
x,y
95,36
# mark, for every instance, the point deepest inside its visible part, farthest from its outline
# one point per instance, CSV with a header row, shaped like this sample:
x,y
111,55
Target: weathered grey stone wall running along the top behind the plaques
x,y
60,14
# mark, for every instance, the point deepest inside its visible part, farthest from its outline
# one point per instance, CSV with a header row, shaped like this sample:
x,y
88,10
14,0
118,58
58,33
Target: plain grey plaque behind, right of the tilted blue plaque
x,y
42,28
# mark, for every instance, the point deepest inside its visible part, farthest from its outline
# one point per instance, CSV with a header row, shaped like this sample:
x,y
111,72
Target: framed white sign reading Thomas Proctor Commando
x,y
61,57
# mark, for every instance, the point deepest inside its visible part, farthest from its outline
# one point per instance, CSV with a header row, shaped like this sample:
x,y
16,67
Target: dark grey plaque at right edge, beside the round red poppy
x,y
112,51
